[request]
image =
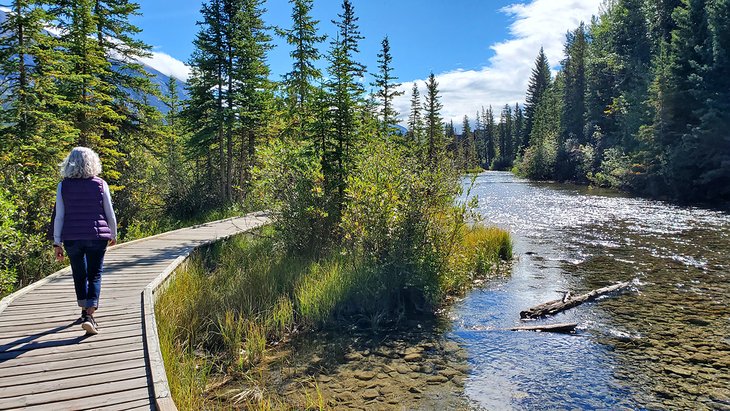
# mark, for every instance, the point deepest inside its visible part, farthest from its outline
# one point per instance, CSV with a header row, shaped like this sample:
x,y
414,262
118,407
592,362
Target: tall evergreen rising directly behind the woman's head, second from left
x,y
105,94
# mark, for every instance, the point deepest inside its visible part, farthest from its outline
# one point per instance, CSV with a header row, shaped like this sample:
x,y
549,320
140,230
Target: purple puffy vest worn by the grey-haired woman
x,y
84,217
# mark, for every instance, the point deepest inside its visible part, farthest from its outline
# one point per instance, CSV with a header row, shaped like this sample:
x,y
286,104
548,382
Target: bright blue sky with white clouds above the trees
x,y
481,50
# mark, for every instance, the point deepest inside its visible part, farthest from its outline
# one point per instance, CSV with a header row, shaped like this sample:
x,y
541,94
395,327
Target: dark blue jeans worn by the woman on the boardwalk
x,y
87,263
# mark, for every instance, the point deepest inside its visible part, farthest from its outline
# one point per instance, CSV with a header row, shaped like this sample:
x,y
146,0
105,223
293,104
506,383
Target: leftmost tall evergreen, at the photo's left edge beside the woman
x,y
34,134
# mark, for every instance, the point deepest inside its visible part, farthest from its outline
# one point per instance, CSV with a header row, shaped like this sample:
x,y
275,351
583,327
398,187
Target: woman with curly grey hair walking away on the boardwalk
x,y
85,223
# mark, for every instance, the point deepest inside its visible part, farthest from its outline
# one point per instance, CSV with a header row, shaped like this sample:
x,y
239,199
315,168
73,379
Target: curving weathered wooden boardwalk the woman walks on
x,y
46,361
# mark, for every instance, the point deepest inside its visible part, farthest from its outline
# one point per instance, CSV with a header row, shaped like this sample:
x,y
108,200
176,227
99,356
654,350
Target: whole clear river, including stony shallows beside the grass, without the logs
x,y
665,344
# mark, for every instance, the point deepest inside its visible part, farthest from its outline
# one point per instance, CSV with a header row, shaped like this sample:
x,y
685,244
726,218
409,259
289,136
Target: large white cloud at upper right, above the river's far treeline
x,y
504,81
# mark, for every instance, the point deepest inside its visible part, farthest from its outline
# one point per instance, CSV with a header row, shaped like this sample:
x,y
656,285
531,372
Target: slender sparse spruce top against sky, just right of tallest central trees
x,y
387,88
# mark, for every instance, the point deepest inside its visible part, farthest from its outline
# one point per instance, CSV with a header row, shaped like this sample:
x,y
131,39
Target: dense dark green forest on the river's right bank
x,y
643,100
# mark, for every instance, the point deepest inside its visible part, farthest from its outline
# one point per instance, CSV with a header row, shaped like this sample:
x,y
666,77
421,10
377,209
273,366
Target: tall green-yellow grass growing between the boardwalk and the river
x,y
231,301
